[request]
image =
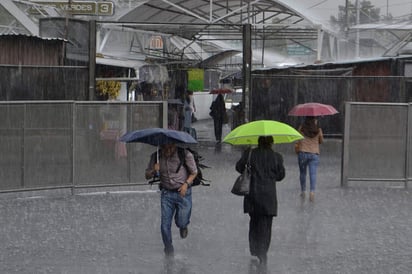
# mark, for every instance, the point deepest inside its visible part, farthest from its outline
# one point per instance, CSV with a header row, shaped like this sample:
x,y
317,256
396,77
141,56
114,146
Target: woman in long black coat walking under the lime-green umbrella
x,y
261,203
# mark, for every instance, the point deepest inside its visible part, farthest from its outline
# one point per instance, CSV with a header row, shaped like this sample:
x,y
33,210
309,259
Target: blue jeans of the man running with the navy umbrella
x,y
172,204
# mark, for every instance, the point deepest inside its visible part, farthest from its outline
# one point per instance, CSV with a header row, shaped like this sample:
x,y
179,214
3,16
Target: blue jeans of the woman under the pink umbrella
x,y
306,160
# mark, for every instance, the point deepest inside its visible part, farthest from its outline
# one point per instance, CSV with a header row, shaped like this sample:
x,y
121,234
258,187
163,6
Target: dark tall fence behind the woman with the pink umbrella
x,y
273,96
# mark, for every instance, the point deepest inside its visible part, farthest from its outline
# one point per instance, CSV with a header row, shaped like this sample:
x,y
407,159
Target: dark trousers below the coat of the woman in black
x,y
260,233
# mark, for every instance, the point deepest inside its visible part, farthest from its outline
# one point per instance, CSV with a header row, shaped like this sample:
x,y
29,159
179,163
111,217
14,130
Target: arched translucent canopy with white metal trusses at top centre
x,y
216,19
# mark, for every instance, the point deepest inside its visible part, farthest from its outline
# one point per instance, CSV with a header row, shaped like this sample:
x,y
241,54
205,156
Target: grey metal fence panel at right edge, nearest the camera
x,y
377,143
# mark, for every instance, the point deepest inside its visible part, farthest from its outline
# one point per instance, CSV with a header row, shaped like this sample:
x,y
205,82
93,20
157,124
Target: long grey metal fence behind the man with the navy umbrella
x,y
60,144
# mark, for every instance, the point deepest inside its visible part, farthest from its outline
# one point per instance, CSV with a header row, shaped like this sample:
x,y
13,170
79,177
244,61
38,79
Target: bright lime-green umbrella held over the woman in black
x,y
248,134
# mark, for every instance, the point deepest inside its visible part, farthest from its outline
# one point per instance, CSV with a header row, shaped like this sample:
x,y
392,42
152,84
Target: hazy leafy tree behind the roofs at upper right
x,y
367,14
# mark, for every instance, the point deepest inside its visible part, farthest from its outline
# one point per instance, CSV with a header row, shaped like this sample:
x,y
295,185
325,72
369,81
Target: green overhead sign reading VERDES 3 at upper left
x,y
78,8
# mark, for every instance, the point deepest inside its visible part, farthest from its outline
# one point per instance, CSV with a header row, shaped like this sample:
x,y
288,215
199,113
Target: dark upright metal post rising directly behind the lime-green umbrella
x,y
246,71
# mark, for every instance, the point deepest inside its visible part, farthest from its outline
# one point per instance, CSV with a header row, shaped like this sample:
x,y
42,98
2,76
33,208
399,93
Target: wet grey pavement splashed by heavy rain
x,y
358,229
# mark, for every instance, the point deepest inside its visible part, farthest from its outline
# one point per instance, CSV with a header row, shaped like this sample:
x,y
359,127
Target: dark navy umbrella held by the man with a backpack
x,y
158,136
